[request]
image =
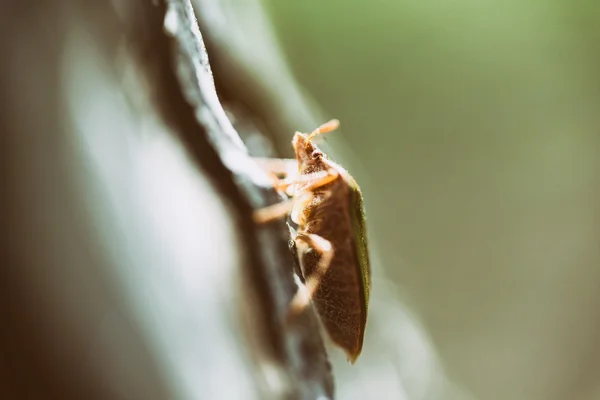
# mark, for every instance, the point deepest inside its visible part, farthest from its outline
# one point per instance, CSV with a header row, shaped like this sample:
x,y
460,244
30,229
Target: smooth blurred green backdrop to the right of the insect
x,y
473,128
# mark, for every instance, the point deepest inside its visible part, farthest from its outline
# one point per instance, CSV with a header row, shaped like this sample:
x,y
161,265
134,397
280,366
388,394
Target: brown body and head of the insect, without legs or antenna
x,y
336,214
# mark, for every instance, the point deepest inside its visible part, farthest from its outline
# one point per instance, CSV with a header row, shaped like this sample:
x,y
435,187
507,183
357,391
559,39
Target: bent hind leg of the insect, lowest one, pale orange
x,y
305,293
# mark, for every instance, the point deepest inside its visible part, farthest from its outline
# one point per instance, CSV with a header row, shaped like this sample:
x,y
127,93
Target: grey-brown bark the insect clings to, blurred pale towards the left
x,y
135,270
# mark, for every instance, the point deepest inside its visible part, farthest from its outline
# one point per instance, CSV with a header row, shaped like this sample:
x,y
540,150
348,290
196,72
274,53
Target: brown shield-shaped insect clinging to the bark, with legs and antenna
x,y
326,204
